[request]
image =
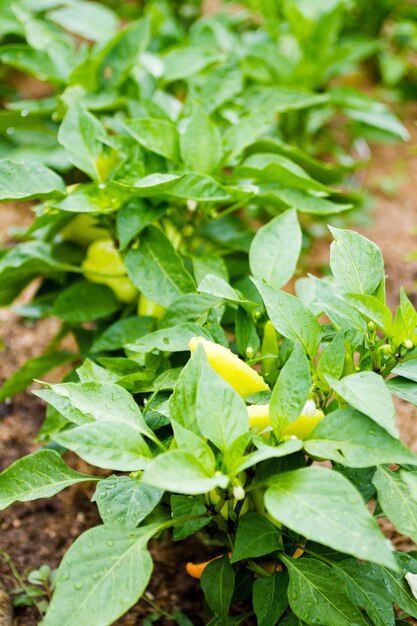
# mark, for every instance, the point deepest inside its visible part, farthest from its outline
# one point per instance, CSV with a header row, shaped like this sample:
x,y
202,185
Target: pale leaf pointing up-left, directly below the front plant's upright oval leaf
x,y
291,318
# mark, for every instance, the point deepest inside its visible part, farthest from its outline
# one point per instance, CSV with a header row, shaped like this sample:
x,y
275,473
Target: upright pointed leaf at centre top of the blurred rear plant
x,y
201,143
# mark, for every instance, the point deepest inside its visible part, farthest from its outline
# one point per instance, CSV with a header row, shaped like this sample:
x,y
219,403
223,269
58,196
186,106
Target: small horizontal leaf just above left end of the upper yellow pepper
x,y
174,339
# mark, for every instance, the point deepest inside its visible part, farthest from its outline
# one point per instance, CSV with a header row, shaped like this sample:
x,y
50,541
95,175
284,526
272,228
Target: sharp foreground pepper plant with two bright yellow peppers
x,y
294,514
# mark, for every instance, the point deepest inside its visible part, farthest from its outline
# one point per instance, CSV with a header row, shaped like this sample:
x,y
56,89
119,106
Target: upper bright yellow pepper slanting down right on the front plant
x,y
245,380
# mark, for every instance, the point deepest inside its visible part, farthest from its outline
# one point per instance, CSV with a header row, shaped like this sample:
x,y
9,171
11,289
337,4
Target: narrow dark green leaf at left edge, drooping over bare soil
x,y
33,368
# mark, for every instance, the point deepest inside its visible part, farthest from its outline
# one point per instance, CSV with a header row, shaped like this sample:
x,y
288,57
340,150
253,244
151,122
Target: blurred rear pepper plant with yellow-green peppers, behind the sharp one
x,y
202,139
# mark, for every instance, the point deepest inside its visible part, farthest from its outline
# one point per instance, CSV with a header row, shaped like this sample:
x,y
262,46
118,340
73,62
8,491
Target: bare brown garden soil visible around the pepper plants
x,y
40,532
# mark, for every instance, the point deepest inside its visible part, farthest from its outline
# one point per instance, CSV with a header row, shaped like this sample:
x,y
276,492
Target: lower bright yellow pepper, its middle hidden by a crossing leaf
x,y
300,428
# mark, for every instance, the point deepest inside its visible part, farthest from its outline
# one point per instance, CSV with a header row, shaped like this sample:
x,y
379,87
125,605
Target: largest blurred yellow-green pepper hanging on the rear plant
x,y
104,264
